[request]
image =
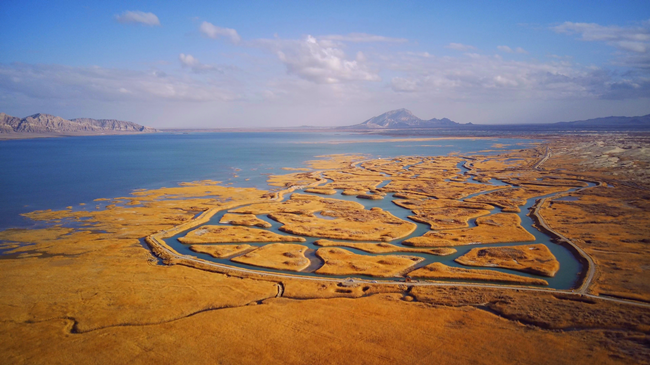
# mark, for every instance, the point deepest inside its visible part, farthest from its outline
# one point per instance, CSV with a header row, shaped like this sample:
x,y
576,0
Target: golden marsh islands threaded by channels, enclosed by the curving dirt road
x,y
339,220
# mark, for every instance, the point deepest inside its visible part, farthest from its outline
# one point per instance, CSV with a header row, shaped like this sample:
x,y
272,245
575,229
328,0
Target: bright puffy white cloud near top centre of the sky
x,y
320,61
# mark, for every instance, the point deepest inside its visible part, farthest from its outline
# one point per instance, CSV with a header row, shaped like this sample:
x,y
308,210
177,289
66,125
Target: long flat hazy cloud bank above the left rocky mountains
x,y
54,82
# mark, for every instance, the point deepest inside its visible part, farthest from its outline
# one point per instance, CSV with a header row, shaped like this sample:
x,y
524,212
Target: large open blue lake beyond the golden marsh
x,y
53,173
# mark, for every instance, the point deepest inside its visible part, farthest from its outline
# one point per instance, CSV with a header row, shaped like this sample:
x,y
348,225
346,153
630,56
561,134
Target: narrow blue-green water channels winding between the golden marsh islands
x,y
566,277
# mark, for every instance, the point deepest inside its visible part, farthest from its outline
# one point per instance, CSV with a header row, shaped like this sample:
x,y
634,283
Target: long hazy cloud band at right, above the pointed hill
x,y
481,78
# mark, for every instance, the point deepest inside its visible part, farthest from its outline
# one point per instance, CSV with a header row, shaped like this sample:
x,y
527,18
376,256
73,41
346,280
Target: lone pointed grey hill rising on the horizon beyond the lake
x,y
401,119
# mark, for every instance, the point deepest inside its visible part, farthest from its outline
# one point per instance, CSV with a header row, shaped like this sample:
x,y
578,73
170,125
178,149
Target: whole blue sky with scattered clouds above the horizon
x,y
249,64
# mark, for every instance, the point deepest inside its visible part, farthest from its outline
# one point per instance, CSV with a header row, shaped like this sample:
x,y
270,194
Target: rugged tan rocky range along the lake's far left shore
x,y
50,124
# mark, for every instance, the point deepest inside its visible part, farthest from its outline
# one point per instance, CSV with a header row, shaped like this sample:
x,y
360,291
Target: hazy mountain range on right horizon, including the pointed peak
x,y
404,119
